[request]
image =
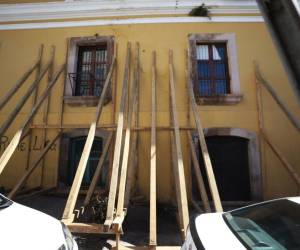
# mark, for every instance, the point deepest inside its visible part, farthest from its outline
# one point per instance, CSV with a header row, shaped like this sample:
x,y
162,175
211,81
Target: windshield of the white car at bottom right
x,y
273,225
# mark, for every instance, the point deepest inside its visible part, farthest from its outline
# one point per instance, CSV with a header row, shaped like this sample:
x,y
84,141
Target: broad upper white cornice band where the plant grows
x,y
118,8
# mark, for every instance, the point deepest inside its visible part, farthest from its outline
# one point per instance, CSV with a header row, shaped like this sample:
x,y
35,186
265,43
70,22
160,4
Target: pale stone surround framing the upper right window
x,y
234,96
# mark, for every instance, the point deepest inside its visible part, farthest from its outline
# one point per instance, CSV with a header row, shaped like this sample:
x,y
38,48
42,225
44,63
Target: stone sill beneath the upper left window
x,y
82,101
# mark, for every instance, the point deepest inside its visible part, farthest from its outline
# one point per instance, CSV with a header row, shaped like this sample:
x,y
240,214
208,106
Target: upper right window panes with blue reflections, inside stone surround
x,y
212,69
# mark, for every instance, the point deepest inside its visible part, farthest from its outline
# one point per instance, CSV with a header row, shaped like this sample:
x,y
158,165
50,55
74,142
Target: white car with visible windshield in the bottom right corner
x,y
271,225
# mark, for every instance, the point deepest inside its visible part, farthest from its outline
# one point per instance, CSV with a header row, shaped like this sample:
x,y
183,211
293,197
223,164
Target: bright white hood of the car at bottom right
x,y
215,234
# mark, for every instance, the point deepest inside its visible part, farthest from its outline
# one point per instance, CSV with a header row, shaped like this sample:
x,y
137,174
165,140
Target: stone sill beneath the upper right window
x,y
229,99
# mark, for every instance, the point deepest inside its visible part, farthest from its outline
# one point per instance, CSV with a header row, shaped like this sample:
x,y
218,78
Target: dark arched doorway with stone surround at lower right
x,y
235,158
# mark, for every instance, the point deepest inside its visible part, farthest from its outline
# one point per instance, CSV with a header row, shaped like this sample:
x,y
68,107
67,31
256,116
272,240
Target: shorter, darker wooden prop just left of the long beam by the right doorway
x,y
200,182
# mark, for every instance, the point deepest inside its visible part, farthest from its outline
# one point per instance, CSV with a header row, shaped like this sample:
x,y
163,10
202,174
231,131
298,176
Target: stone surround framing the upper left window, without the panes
x,y
74,44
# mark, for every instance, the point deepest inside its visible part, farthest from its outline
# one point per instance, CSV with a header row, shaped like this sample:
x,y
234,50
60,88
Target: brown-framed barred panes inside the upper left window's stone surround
x,y
91,70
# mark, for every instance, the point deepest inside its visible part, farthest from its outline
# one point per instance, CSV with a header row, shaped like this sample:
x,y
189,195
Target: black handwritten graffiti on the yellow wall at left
x,y
36,144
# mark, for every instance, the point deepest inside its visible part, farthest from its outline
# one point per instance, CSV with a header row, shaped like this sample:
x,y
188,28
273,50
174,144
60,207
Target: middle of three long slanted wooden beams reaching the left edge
x,y
13,114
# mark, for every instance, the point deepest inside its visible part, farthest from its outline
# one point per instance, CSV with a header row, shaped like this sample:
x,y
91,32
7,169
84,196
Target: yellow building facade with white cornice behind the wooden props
x,y
230,118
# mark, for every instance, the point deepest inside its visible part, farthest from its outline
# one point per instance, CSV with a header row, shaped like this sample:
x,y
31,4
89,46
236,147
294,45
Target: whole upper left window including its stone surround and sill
x,y
89,60
